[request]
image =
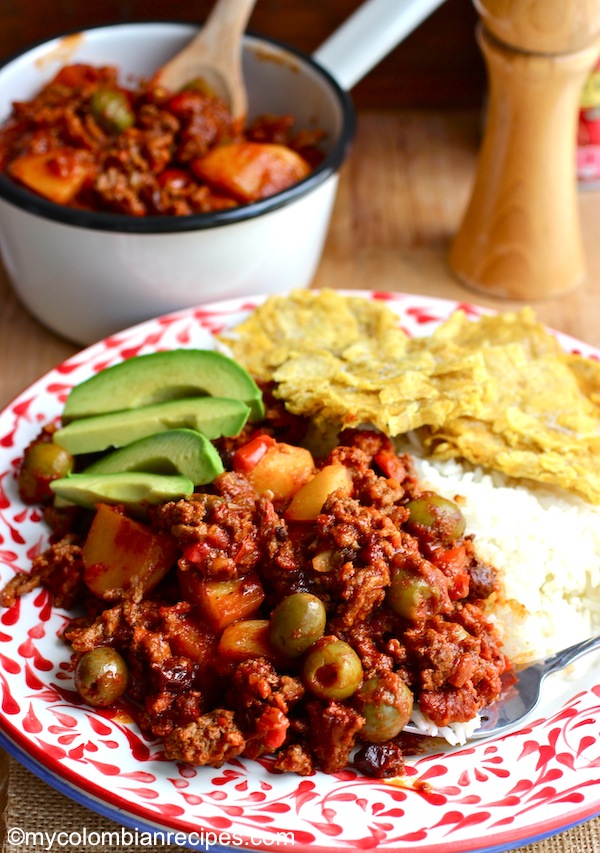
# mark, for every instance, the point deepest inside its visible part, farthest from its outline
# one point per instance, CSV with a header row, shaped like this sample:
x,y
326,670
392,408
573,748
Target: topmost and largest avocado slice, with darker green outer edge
x,y
144,380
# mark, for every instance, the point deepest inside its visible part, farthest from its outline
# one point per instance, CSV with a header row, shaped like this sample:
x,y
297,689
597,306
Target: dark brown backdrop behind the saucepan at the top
x,y
438,66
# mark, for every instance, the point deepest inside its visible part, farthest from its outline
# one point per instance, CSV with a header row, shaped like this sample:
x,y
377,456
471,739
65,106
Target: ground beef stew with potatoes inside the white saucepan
x,y
87,141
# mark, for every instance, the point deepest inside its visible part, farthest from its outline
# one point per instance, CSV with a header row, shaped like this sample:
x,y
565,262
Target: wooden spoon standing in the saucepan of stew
x,y
214,55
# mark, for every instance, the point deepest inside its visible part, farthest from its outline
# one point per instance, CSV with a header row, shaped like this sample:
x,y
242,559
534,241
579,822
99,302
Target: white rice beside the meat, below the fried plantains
x,y
544,543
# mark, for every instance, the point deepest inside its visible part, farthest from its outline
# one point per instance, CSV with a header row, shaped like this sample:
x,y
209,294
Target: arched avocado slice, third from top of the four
x,y
176,451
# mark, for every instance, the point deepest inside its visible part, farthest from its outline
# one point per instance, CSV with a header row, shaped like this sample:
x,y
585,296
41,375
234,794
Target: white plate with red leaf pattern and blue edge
x,y
491,796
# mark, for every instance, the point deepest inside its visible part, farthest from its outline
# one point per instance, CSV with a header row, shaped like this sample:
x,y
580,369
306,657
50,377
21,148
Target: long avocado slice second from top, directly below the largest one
x,y
212,416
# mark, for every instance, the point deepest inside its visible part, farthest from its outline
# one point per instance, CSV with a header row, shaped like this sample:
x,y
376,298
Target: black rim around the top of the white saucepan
x,y
123,223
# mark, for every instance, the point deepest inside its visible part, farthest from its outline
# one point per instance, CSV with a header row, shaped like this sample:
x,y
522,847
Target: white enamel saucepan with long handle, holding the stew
x,y
86,275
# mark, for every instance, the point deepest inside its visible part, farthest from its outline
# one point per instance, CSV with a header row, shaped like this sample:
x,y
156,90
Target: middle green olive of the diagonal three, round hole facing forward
x,y
332,669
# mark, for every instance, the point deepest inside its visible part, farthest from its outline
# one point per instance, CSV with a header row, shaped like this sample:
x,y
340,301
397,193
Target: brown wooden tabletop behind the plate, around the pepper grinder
x,y
401,198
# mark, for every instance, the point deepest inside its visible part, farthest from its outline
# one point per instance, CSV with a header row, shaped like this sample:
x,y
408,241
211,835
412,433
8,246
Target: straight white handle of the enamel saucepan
x,y
368,35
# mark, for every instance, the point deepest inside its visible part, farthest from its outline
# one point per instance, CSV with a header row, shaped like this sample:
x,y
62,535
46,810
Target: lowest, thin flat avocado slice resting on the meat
x,y
133,488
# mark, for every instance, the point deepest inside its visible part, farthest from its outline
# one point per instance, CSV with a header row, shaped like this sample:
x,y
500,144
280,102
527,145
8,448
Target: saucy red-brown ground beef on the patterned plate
x,y
210,706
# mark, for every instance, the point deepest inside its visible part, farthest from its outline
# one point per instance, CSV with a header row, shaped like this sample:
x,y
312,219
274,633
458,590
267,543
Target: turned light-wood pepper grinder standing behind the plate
x,y
520,237
